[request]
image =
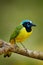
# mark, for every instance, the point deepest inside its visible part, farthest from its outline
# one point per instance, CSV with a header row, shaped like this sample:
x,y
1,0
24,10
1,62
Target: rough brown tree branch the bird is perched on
x,y
5,47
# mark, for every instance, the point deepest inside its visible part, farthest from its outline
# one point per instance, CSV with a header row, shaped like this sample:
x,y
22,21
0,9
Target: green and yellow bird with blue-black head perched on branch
x,y
21,33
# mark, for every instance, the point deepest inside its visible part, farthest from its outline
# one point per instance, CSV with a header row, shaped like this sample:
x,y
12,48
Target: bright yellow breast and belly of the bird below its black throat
x,y
23,35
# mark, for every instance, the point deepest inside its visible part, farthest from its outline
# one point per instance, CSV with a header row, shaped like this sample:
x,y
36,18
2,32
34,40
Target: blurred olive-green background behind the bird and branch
x,y
12,12
